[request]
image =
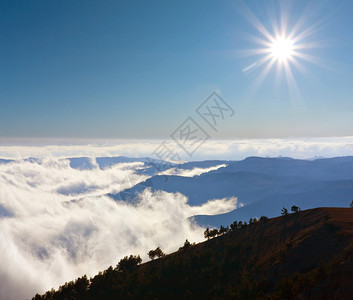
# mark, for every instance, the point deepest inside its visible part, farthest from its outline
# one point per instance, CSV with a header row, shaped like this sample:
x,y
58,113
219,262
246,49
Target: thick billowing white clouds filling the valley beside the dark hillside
x,y
59,224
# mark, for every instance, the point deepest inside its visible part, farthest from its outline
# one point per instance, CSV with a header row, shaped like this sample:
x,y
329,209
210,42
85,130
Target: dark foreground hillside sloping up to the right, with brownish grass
x,y
306,255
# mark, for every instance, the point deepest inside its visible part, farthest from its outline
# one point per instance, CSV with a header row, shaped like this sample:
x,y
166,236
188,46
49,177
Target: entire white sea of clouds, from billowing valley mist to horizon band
x,y
58,223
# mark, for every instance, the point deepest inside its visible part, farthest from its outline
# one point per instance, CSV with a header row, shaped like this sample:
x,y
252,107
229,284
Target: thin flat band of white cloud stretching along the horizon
x,y
213,149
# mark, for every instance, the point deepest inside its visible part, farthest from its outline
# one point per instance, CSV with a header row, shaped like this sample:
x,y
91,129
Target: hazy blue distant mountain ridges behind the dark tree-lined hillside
x,y
263,185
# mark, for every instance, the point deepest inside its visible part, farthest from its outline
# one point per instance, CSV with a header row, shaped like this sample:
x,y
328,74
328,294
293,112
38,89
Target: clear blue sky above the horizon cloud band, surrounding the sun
x,y
138,69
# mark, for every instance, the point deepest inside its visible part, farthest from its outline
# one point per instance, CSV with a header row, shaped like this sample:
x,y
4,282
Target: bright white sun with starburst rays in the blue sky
x,y
281,46
